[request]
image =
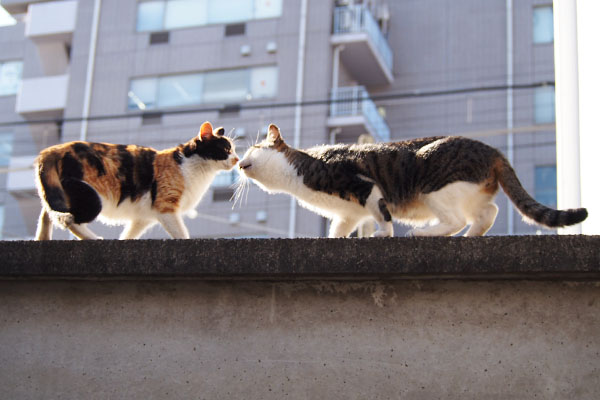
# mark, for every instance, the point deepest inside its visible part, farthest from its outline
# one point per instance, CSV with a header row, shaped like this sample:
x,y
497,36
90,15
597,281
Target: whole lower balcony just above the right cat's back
x,y
354,113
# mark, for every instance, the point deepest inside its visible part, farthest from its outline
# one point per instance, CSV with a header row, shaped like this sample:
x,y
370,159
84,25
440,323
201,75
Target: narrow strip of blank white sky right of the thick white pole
x,y
588,32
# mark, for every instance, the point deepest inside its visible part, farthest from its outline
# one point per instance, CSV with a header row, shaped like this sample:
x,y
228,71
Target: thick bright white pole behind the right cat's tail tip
x,y
567,108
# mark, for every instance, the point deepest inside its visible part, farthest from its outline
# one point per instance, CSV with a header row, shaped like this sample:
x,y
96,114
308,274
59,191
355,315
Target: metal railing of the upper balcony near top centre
x,y
358,18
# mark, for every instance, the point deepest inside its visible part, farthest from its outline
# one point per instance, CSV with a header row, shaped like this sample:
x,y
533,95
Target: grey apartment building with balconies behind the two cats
x,y
150,72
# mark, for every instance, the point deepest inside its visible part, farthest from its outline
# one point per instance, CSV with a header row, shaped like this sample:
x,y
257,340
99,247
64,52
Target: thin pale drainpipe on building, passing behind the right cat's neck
x,y
298,109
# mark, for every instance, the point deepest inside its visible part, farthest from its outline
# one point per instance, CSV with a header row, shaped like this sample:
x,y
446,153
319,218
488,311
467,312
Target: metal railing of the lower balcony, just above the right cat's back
x,y
354,101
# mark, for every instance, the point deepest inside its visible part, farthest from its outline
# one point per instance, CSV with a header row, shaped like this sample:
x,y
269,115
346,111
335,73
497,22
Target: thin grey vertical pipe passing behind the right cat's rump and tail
x,y
509,106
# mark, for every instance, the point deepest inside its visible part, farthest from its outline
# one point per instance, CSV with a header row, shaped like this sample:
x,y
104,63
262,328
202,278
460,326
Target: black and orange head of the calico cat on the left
x,y
212,145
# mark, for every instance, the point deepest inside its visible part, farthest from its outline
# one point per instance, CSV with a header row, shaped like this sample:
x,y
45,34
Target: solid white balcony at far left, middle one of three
x,y
44,97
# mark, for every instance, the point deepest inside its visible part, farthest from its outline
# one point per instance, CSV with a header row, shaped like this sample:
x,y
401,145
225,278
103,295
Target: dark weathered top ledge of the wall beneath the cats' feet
x,y
504,257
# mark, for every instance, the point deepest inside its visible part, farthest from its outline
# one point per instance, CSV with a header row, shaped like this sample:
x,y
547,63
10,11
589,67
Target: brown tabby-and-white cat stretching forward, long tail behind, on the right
x,y
451,180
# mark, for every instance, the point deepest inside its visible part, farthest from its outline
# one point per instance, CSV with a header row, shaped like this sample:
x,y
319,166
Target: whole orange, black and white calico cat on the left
x,y
128,184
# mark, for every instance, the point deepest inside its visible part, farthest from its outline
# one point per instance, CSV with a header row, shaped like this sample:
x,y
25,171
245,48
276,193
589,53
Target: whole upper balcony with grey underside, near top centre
x,y
366,55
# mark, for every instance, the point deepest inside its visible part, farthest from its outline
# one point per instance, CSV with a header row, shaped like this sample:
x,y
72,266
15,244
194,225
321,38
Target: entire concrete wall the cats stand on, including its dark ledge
x,y
510,317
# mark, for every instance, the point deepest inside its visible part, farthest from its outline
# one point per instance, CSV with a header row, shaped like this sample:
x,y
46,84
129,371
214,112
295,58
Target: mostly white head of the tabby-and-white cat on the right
x,y
261,161
